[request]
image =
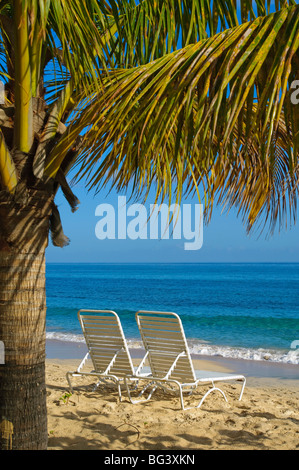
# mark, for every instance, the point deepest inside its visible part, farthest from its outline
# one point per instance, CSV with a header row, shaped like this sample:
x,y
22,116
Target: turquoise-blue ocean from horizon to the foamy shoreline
x,y
246,311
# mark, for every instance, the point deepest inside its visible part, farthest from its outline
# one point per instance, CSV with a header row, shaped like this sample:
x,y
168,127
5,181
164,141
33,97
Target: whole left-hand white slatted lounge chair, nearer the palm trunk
x,y
107,348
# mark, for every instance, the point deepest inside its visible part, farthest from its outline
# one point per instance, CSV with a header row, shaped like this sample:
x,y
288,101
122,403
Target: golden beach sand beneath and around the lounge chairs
x,y
267,418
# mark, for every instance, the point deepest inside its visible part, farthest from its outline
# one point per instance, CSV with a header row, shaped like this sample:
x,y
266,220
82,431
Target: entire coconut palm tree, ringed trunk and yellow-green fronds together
x,y
185,95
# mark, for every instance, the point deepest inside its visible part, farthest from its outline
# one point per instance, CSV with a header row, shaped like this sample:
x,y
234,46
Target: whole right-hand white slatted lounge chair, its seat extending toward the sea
x,y
169,358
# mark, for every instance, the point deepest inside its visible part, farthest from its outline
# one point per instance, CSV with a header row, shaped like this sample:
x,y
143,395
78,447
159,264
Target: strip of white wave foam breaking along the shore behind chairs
x,y
204,349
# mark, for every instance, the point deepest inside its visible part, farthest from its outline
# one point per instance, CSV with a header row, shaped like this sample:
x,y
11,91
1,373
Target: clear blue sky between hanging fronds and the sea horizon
x,y
224,239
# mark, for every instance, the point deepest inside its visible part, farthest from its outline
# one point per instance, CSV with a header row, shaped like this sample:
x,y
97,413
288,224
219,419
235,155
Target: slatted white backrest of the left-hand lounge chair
x,y
104,337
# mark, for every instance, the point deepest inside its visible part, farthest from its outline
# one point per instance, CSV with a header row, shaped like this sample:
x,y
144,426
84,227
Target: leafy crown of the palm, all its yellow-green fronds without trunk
x,y
188,96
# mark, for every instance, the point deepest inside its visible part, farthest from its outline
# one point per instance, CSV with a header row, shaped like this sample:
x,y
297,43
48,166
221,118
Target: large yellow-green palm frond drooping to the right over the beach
x,y
213,114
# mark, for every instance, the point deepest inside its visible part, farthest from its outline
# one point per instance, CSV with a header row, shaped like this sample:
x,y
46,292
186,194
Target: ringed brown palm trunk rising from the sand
x,y
24,228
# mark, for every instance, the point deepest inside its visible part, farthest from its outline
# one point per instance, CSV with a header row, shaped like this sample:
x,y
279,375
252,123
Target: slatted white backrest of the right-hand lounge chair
x,y
164,339
